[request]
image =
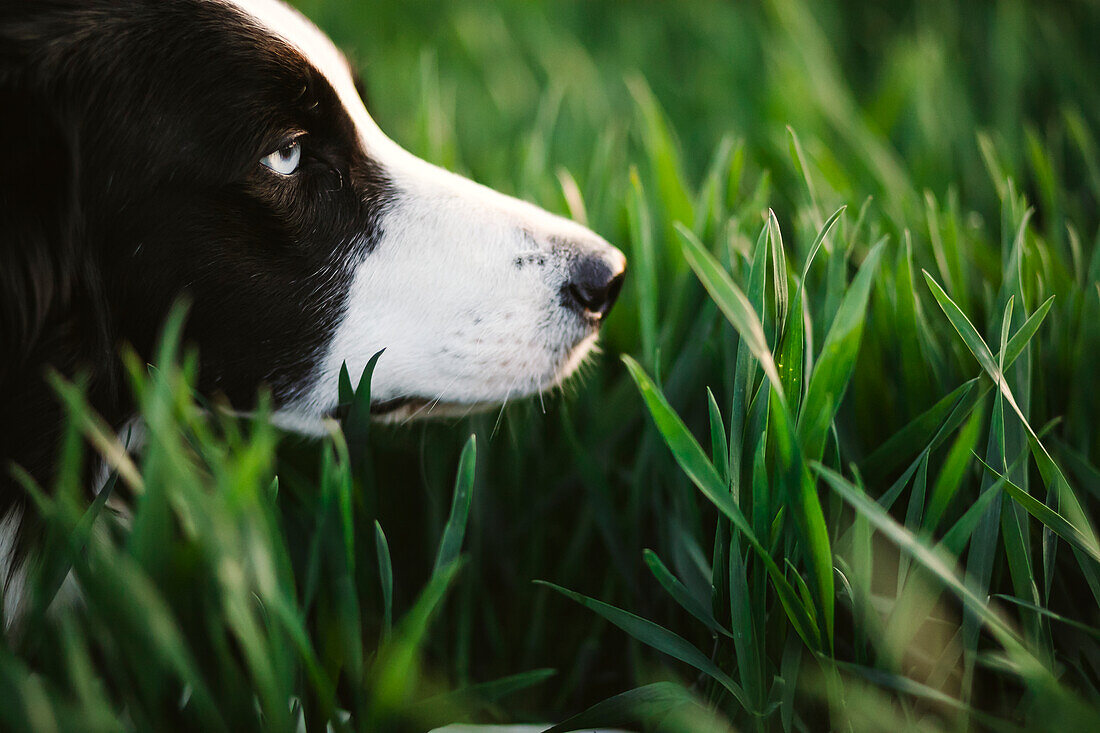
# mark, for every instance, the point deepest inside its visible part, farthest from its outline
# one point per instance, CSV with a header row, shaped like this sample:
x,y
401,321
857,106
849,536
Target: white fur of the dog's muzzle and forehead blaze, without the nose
x,y
463,290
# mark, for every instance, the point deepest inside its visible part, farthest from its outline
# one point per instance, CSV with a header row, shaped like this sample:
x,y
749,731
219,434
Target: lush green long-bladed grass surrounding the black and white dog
x,y
835,468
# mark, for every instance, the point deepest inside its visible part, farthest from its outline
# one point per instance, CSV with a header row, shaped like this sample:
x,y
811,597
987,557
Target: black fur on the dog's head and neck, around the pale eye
x,y
134,130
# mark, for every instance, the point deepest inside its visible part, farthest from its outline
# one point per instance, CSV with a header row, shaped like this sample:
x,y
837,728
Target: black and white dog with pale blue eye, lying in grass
x,y
221,150
